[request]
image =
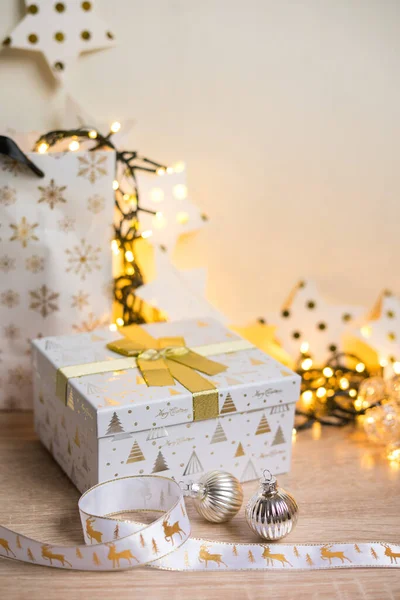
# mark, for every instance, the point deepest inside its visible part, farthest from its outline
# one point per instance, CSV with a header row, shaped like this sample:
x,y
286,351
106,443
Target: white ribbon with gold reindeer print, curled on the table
x,y
113,544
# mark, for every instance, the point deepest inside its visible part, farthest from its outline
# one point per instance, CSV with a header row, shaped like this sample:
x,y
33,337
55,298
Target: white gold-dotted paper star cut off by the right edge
x,y
381,331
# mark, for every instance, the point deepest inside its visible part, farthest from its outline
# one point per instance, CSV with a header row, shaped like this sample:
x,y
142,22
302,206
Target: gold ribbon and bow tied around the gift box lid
x,y
160,362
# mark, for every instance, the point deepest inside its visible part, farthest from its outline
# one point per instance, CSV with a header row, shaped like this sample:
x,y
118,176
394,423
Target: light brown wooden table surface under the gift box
x,y
345,489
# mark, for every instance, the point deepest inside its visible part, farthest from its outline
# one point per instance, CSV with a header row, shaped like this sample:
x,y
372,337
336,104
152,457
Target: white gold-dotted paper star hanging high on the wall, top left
x,y
61,31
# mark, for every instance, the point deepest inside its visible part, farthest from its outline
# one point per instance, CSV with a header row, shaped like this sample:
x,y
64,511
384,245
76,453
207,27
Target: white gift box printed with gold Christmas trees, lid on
x,y
111,424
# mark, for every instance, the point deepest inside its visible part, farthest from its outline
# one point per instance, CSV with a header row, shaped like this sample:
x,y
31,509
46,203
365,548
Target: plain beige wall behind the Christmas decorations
x,y
287,114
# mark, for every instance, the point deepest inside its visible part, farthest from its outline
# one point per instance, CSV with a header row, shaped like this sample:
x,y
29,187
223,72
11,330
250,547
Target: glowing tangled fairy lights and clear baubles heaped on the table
x,y
345,391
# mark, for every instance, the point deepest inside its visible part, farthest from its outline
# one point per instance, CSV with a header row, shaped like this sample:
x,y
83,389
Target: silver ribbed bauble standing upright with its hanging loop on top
x,y
271,513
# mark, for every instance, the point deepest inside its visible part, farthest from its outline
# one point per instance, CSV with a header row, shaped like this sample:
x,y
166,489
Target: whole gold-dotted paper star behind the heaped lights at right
x,y
310,324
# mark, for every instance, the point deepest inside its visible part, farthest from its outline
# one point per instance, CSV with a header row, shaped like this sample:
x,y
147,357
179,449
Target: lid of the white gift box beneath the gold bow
x,y
119,402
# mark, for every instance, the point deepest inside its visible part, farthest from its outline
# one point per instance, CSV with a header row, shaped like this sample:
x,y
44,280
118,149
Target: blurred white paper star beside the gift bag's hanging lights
x,y
176,215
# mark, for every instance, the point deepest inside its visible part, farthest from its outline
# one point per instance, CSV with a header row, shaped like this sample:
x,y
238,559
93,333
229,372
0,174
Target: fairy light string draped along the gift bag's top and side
x,y
127,229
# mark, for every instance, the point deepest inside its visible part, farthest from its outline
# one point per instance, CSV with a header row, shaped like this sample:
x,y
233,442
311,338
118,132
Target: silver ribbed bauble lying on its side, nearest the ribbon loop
x,y
217,496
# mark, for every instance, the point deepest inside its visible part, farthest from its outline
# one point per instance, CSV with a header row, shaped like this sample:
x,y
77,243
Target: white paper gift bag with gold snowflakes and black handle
x,y
55,261
